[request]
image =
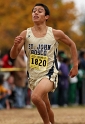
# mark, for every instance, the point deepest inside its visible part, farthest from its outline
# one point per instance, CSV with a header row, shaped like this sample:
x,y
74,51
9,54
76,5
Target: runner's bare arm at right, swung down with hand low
x,y
59,35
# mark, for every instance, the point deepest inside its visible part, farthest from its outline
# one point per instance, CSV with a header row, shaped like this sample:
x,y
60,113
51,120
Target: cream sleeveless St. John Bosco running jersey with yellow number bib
x,y
41,53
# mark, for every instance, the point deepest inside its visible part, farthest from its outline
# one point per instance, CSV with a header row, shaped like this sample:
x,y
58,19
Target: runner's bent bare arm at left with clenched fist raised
x,y
17,46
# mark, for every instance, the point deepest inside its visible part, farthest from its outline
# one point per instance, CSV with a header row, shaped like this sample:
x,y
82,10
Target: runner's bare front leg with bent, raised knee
x,y
37,98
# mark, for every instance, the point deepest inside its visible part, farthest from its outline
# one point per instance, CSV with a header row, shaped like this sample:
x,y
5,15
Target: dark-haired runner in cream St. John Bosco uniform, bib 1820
x,y
41,48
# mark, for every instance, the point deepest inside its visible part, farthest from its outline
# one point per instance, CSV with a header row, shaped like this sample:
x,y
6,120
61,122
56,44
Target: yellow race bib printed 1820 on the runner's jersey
x,y
38,62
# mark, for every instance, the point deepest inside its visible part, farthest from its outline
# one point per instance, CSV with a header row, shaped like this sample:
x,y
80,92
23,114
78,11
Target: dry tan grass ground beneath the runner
x,y
63,115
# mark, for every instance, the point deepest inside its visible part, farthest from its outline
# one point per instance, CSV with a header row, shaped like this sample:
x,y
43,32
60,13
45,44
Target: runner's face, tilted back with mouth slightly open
x,y
38,14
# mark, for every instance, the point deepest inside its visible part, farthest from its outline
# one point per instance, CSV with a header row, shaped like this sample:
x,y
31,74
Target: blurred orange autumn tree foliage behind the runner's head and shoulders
x,y
15,16
